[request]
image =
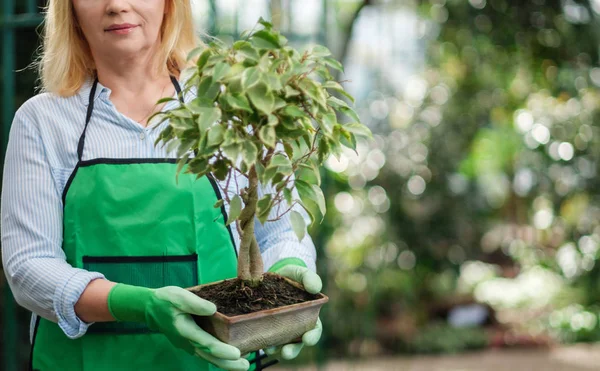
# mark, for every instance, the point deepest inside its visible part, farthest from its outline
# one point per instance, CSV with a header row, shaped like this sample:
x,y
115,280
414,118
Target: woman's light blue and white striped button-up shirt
x,y
41,154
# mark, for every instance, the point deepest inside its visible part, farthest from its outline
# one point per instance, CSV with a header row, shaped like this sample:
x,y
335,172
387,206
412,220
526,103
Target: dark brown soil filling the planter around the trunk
x,y
232,298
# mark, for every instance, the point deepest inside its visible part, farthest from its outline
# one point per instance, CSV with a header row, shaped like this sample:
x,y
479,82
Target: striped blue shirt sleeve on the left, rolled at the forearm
x,y
31,212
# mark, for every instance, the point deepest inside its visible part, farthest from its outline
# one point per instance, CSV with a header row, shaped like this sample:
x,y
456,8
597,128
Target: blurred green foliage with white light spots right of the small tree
x,y
490,153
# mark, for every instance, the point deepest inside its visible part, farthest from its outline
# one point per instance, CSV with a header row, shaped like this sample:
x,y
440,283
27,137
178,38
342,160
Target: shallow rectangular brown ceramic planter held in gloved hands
x,y
259,330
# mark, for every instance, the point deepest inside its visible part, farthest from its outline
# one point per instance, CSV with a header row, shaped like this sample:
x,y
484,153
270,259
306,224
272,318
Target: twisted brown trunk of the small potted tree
x,y
250,264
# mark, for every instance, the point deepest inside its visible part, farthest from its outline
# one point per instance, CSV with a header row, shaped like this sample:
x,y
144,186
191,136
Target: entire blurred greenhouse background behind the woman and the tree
x,y
469,227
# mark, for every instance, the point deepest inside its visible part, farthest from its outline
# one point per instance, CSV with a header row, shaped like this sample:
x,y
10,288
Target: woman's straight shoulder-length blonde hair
x,y
66,61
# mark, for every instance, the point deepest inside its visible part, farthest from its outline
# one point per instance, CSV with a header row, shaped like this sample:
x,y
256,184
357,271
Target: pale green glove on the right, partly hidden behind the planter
x,y
296,270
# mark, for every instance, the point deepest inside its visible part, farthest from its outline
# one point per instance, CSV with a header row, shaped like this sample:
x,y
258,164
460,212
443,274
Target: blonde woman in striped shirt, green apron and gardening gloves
x,y
98,239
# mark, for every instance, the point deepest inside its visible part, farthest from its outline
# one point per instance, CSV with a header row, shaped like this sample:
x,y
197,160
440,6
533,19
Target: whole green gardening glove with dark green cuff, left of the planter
x,y
168,310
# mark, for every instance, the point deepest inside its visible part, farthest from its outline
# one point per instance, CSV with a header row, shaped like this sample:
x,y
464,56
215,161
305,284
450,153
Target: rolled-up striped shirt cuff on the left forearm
x,y
66,296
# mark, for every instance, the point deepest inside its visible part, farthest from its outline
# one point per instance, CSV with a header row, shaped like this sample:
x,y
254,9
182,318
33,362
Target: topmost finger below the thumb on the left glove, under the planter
x,y
202,340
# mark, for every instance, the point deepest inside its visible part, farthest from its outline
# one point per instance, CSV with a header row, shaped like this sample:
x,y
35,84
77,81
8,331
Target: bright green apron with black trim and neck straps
x,y
130,220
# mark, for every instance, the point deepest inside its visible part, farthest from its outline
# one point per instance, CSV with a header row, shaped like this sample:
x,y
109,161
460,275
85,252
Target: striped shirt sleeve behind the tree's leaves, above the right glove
x,y
277,239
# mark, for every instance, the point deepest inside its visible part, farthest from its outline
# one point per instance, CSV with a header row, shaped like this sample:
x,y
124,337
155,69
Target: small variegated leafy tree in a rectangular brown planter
x,y
264,110
